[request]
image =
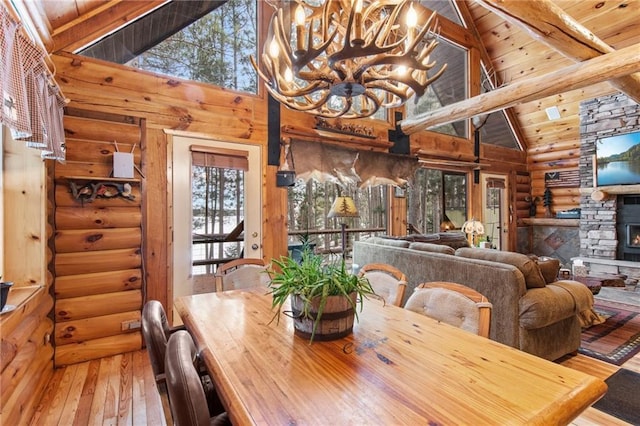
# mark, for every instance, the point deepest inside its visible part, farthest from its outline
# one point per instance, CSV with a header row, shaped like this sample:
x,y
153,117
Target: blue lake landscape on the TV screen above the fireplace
x,y
618,160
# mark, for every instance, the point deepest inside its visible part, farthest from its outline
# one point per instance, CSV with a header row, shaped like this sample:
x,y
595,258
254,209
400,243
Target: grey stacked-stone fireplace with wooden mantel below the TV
x,y
604,222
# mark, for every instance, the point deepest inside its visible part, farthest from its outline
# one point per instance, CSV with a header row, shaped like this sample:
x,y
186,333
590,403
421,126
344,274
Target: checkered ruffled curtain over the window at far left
x,y
32,105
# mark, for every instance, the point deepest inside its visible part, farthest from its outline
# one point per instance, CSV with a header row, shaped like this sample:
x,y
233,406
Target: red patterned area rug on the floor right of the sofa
x,y
617,339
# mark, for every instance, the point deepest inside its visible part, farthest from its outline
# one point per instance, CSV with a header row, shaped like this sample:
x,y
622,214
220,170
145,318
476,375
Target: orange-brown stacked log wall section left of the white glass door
x,y
98,260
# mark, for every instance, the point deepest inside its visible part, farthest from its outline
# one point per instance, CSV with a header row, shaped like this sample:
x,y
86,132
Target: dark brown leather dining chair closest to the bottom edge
x,y
187,397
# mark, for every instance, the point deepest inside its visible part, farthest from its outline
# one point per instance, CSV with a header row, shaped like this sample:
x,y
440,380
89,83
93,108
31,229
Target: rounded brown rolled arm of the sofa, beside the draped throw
x,y
541,307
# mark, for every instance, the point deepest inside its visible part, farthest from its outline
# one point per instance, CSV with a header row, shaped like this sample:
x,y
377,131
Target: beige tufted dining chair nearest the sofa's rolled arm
x,y
454,304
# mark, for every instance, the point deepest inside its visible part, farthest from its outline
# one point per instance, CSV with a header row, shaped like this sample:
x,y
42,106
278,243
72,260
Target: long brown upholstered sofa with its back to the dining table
x,y
533,312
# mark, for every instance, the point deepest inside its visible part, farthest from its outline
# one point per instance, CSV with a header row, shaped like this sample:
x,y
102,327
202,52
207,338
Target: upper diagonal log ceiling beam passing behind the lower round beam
x,y
548,23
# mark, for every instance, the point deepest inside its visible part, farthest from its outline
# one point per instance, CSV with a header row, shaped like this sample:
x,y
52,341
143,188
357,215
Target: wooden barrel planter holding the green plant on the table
x,y
336,321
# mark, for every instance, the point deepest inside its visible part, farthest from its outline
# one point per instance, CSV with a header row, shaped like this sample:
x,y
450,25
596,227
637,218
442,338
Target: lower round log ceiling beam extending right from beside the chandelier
x,y
606,67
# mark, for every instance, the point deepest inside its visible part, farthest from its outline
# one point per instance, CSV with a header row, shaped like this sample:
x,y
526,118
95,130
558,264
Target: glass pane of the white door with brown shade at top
x,y
217,184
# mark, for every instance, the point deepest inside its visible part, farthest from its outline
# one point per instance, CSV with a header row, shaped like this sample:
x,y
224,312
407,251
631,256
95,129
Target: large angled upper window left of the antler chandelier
x,y
208,42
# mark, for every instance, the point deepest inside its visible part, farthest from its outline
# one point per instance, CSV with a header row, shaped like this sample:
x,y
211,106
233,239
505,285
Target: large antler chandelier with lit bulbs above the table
x,y
348,58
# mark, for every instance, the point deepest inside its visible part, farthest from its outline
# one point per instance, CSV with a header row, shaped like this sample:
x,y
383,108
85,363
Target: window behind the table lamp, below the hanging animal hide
x,y
310,202
